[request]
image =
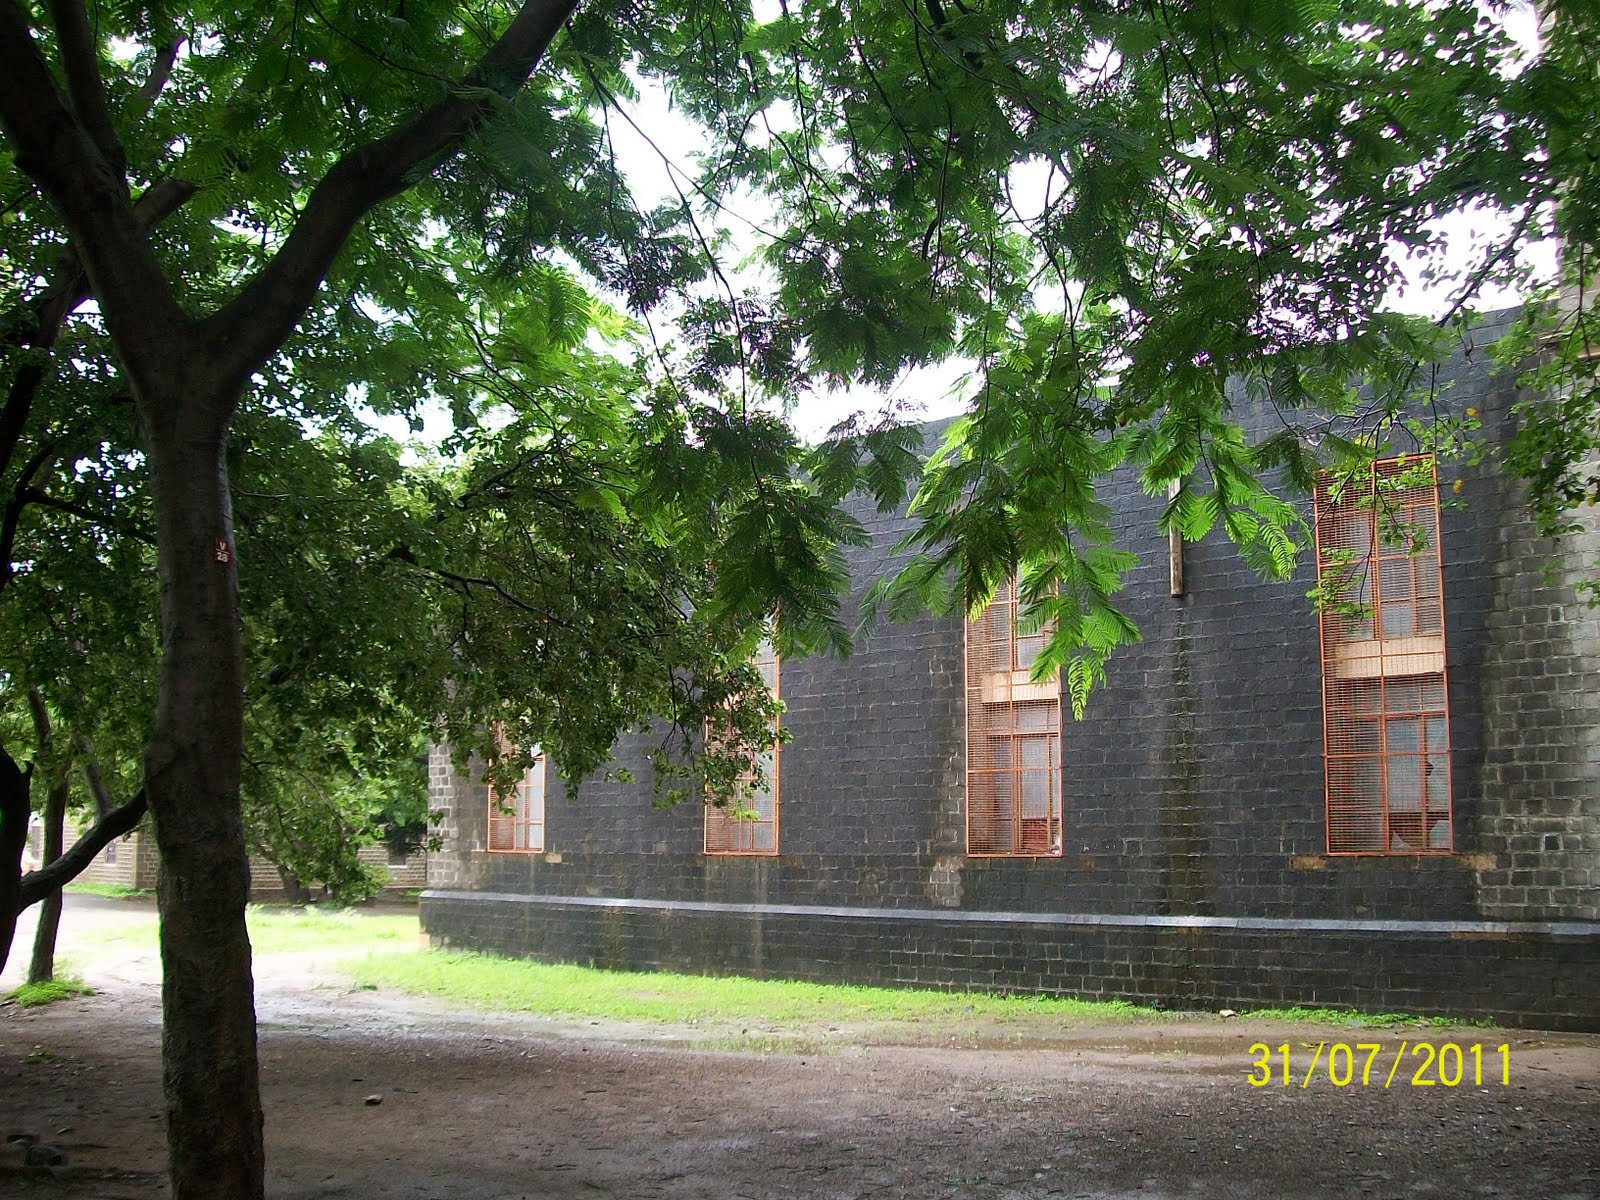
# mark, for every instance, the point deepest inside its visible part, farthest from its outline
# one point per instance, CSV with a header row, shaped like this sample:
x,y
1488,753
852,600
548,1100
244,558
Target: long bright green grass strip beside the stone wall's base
x,y
519,986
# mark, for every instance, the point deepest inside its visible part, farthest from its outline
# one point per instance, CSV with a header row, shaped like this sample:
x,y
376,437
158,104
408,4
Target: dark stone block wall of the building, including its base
x,y
1193,799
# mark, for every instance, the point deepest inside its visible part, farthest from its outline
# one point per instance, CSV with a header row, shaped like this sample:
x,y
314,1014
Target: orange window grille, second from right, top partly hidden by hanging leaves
x,y
1014,738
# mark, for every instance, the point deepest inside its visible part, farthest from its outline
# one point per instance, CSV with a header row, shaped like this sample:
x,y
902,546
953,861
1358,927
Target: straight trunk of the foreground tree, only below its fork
x,y
193,777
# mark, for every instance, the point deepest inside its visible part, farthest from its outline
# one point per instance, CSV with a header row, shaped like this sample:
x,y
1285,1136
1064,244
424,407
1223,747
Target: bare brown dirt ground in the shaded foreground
x,y
476,1106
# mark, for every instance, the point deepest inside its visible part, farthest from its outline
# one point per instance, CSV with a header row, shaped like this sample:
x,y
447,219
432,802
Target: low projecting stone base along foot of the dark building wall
x,y
1518,975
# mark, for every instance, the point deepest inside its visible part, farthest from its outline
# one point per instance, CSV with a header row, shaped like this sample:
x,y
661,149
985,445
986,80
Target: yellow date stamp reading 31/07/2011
x,y
1449,1066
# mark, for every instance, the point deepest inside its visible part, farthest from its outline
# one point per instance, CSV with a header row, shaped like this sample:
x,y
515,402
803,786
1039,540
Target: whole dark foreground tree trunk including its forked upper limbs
x,y
186,378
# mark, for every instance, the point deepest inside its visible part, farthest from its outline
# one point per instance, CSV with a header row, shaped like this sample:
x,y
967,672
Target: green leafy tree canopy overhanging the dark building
x,y
1110,209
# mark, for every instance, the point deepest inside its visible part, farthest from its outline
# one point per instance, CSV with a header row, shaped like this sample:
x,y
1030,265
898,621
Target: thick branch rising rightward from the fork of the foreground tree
x,y
266,311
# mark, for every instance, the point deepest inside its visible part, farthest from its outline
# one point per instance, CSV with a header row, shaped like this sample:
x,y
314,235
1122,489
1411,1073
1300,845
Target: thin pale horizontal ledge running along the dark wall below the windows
x,y
1582,932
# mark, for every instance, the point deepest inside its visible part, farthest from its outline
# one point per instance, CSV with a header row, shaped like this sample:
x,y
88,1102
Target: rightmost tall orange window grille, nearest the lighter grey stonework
x,y
1386,716
